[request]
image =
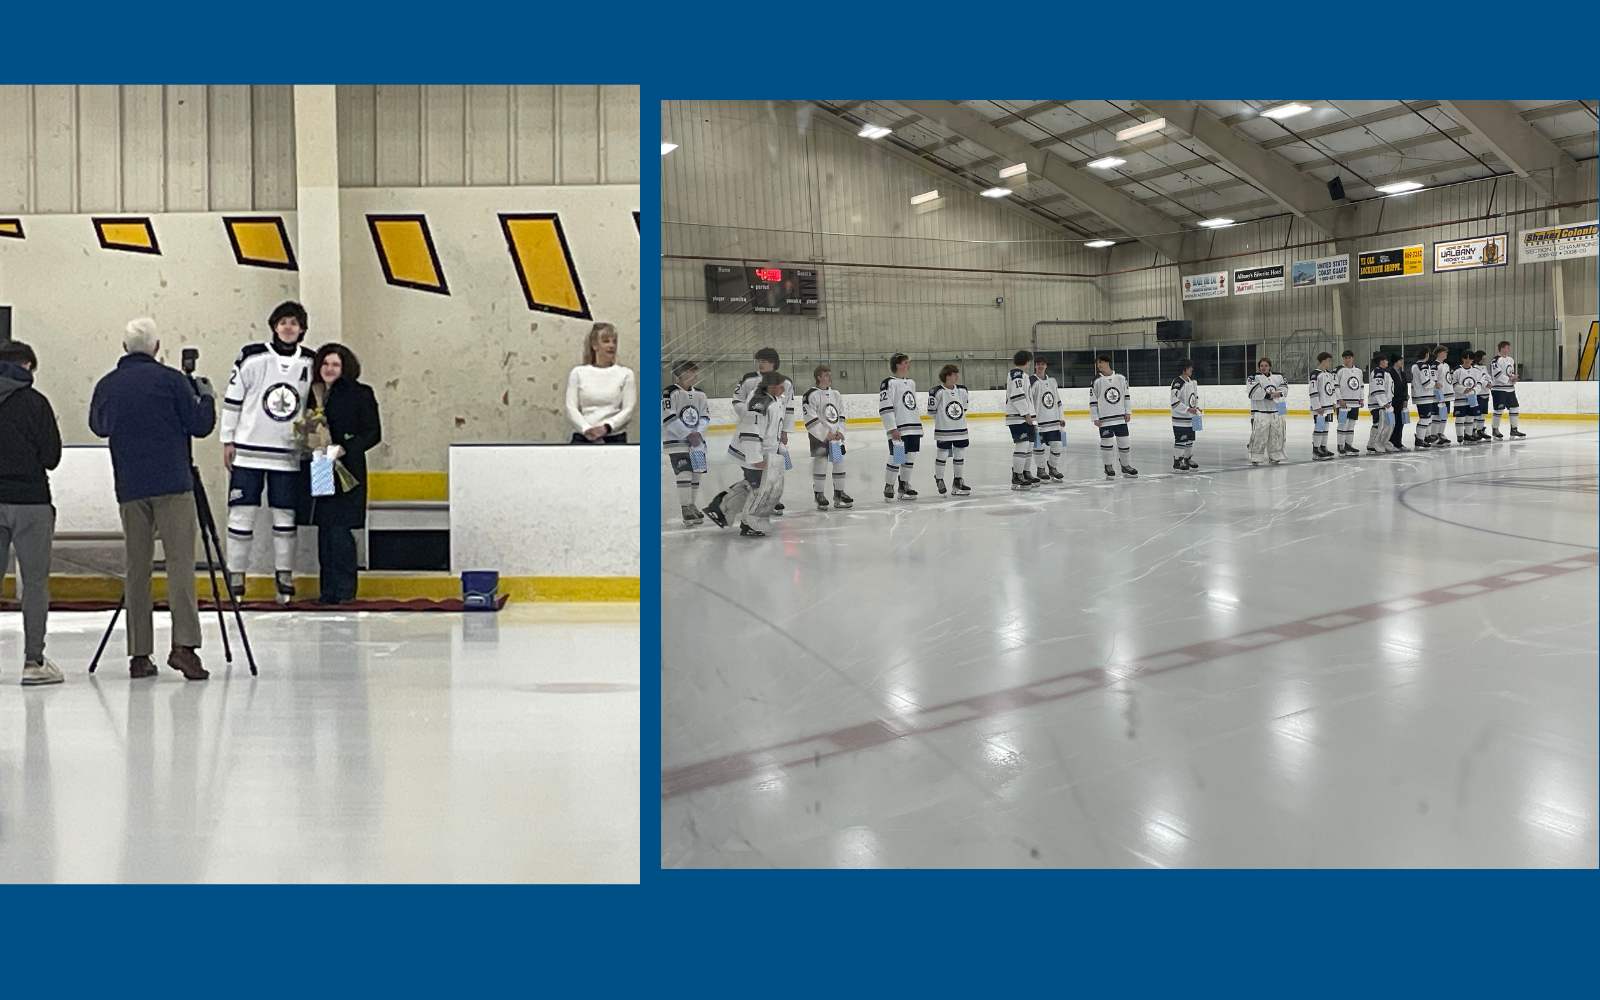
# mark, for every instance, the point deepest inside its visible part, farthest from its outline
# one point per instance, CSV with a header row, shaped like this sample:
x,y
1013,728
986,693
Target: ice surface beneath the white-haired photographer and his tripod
x,y
372,748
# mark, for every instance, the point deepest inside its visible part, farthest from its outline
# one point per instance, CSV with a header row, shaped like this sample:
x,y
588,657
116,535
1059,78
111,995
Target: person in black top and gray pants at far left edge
x,y
30,449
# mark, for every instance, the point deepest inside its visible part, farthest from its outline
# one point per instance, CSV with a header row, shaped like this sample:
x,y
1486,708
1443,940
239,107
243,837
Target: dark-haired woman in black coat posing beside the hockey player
x,y
351,410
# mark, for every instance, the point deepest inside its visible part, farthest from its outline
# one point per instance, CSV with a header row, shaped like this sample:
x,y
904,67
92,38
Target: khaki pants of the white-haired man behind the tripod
x,y
174,518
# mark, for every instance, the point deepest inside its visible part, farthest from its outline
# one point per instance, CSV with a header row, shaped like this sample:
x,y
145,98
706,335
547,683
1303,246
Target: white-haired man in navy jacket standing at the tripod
x,y
151,412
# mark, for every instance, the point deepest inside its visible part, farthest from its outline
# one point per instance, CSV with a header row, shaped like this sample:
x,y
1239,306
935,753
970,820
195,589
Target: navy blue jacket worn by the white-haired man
x,y
150,412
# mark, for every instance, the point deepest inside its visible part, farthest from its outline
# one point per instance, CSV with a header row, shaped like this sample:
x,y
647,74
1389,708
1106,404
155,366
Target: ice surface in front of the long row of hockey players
x,y
836,694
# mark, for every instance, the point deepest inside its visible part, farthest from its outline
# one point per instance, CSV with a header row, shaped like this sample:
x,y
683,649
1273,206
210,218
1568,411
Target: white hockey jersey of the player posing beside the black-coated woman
x,y
266,394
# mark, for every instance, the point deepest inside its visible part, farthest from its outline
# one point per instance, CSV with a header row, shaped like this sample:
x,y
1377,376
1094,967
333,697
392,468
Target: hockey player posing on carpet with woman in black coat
x,y
266,394
